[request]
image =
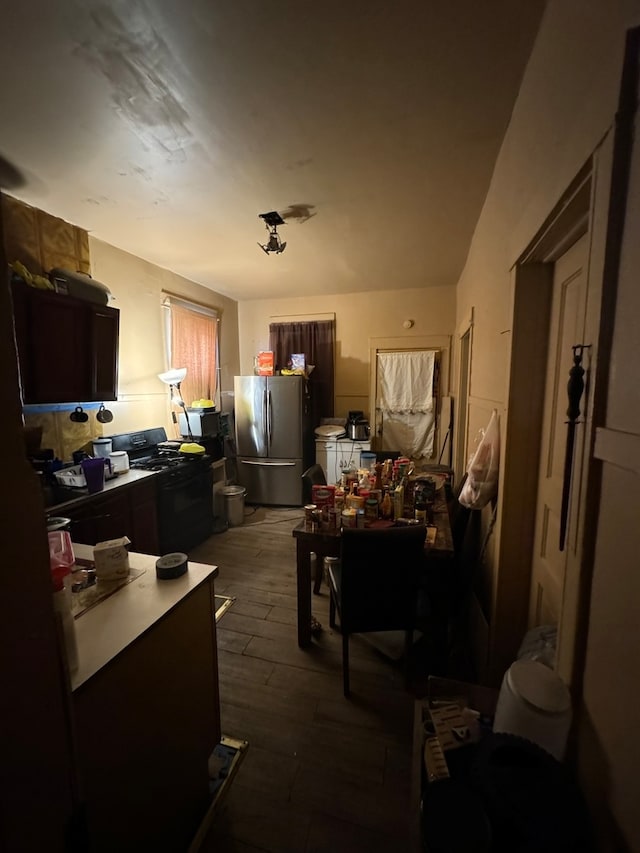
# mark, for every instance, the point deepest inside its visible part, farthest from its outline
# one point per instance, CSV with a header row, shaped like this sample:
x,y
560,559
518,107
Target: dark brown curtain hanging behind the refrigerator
x,y
316,340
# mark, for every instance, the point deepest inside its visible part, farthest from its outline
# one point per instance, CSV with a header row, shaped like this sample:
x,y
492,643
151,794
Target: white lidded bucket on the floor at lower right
x,y
534,703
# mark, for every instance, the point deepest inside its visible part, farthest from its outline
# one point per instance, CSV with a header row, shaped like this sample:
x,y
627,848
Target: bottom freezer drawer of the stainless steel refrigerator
x,y
276,482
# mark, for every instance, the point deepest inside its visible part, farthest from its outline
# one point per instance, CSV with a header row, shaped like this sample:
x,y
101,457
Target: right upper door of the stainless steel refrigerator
x,y
285,417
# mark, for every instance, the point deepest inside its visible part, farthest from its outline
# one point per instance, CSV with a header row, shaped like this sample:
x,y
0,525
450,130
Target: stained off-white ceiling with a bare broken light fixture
x,y
165,127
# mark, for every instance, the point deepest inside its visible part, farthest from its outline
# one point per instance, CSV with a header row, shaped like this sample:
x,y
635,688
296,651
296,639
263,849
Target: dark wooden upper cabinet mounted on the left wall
x,y
67,347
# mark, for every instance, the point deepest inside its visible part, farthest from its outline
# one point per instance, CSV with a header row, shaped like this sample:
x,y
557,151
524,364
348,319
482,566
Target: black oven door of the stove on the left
x,y
185,508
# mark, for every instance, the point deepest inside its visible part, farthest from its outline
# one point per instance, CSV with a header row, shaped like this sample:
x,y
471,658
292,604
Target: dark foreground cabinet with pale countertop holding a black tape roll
x,y
147,710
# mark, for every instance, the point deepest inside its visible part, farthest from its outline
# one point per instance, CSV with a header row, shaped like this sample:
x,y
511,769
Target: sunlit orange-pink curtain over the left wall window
x,y
194,346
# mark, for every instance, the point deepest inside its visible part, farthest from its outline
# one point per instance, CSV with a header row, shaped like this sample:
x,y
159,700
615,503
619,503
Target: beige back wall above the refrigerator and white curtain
x,y
359,317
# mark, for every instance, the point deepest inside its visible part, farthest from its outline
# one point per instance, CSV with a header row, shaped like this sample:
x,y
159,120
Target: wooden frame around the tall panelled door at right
x,y
582,209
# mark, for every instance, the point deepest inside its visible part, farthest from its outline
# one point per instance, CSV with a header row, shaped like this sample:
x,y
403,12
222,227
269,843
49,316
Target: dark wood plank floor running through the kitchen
x,y
321,773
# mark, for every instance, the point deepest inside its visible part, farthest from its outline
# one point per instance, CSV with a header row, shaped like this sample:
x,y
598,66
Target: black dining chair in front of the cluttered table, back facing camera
x,y
374,587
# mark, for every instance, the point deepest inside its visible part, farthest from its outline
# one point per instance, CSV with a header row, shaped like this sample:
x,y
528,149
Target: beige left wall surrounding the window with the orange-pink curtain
x,y
137,286
